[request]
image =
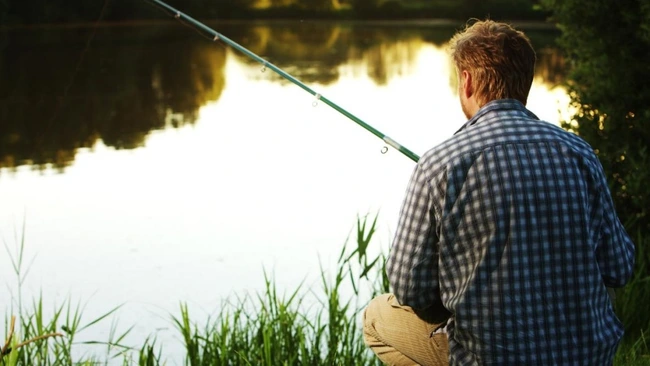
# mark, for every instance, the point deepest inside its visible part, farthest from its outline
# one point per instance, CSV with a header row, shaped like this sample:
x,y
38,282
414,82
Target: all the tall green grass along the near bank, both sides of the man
x,y
308,325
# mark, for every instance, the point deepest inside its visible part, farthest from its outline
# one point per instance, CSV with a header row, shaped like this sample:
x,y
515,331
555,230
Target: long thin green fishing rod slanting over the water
x,y
216,36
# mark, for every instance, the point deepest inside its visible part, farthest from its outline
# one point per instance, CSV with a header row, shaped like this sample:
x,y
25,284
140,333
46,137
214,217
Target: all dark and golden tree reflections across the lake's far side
x,y
65,89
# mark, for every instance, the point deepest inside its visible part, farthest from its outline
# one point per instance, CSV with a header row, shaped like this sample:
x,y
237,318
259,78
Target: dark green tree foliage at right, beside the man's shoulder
x,y
607,44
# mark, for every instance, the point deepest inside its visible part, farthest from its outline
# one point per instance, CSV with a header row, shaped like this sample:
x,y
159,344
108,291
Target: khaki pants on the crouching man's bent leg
x,y
400,337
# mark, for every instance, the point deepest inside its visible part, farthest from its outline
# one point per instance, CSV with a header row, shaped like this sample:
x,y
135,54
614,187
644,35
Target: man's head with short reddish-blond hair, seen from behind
x,y
493,61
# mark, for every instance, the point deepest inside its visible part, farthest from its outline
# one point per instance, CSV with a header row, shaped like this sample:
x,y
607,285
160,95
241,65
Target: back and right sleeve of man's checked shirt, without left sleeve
x,y
526,237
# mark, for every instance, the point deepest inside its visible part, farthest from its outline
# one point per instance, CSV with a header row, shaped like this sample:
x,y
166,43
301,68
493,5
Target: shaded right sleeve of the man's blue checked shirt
x,y
615,251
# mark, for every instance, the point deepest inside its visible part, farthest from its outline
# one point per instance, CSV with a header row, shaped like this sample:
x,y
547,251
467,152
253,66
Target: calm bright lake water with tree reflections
x,y
151,166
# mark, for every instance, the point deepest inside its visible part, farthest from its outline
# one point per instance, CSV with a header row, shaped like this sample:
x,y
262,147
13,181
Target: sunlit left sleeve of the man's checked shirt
x,y
412,265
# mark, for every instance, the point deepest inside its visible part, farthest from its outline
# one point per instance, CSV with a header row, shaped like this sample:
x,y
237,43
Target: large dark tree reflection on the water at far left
x,y
60,93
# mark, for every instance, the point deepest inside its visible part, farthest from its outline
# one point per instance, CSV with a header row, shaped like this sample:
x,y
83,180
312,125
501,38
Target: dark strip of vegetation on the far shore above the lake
x,y
19,13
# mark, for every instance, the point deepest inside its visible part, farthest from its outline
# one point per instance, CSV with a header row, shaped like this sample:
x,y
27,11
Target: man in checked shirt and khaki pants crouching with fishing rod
x,y
508,239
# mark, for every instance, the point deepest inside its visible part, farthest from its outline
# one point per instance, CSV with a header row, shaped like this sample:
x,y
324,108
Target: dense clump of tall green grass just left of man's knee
x,y
302,327
